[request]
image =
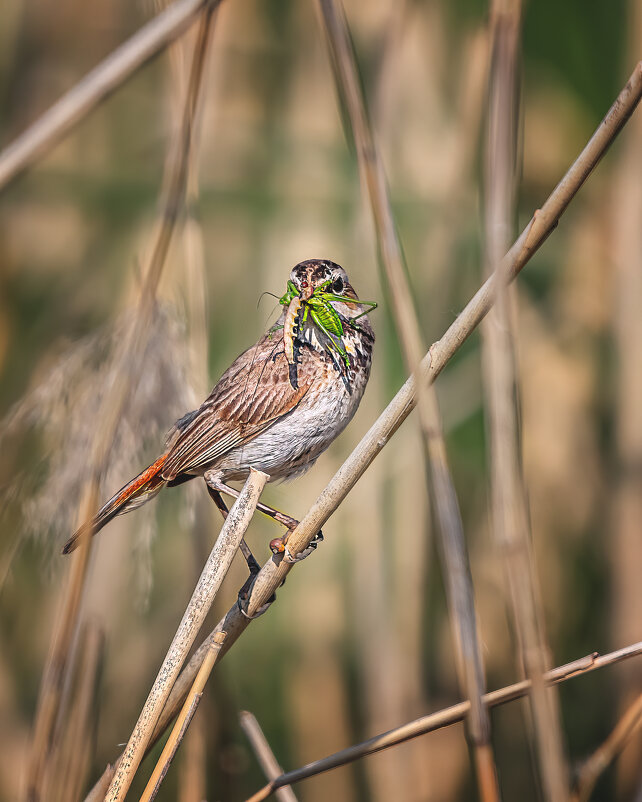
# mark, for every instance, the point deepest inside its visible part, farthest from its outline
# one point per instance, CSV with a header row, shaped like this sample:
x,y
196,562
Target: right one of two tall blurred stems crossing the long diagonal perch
x,y
510,518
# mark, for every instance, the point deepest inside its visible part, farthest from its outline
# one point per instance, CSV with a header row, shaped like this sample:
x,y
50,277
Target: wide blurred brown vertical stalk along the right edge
x,y
624,479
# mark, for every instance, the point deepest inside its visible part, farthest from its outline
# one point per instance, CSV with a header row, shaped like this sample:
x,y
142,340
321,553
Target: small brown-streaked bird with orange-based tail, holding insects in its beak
x,y
278,406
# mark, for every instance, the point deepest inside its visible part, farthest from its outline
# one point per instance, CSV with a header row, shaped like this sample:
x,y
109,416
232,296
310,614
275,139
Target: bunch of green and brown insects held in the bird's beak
x,y
324,316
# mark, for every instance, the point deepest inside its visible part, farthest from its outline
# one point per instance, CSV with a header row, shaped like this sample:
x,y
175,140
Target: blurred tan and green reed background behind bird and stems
x,y
359,640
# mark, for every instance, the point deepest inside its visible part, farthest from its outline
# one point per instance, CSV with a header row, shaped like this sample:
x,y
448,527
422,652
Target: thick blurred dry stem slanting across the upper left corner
x,y
100,82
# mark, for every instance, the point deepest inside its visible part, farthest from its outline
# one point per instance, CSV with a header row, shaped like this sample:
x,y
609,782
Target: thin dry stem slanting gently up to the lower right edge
x,y
445,718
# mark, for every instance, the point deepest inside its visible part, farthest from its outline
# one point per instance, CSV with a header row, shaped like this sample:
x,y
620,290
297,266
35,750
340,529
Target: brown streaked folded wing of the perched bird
x,y
253,393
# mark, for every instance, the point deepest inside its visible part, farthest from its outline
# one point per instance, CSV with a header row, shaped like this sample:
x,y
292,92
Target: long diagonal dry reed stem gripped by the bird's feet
x,y
273,572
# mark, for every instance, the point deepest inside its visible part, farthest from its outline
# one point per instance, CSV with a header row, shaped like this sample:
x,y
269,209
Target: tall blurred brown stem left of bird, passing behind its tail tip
x,y
127,366
